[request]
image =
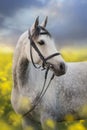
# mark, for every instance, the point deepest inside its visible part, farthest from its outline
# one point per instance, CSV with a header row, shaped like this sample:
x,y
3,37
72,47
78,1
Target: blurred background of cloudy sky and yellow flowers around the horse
x,y
67,22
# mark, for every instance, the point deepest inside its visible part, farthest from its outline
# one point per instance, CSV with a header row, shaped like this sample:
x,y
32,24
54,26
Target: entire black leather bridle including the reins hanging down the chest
x,y
45,65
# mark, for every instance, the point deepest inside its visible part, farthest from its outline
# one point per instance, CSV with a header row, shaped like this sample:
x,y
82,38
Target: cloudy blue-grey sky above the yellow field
x,y
67,19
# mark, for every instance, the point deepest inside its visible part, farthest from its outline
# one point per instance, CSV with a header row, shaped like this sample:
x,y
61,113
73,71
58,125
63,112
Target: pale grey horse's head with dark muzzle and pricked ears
x,y
44,51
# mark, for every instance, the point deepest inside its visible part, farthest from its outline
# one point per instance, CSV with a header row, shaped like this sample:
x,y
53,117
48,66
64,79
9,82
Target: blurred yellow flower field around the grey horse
x,y
8,119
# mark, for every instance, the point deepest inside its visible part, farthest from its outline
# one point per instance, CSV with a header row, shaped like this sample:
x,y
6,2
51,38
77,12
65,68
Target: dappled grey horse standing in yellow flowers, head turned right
x,y
67,93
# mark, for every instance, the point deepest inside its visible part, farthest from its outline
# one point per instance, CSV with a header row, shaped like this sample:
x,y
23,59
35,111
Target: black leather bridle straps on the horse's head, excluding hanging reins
x,y
32,44
